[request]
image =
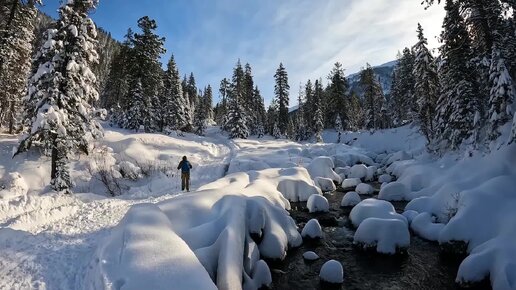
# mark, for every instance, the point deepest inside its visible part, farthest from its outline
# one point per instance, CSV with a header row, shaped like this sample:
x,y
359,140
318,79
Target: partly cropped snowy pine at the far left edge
x,y
16,39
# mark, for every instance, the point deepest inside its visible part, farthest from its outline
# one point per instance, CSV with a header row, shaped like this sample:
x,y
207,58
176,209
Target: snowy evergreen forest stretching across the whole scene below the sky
x,y
59,77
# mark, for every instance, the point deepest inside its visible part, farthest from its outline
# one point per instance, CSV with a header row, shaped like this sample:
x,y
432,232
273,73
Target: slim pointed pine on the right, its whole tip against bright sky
x,y
426,85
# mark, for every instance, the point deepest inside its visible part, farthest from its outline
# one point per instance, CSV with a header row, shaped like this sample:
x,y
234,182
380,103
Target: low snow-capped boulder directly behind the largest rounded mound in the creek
x,y
373,208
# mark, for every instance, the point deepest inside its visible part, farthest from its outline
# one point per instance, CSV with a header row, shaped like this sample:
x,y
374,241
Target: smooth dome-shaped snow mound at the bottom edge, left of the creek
x,y
144,253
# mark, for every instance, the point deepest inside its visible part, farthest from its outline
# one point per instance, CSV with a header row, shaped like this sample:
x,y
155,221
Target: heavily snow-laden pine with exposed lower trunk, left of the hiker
x,y
61,89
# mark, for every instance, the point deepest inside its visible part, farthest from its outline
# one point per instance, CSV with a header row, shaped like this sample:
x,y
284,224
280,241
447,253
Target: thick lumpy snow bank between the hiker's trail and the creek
x,y
215,225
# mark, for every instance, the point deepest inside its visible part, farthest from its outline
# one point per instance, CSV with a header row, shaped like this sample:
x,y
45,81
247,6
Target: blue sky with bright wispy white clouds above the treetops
x,y
207,36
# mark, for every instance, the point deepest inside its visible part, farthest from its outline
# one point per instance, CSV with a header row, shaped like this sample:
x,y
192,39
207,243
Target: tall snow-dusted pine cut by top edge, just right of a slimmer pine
x,y
456,104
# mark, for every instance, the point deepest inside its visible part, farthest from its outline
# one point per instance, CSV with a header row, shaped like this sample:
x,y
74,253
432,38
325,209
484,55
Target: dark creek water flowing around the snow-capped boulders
x,y
423,267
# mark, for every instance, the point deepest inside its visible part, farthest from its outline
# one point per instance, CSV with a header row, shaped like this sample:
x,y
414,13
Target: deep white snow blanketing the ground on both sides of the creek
x,y
241,189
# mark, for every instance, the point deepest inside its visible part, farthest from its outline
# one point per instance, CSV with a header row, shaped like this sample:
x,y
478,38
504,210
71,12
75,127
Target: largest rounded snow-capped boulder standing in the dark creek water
x,y
389,236
